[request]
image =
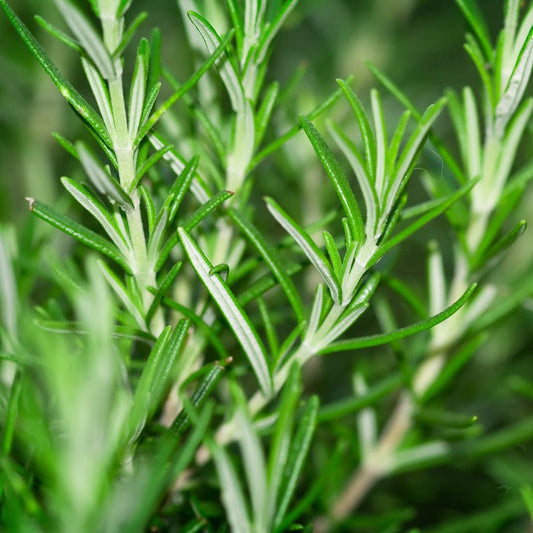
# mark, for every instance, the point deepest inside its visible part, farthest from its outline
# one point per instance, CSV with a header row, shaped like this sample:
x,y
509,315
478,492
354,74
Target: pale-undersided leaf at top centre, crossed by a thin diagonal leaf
x,y
226,69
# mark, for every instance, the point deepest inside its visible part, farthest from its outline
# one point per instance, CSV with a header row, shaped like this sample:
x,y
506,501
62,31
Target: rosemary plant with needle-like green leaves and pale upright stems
x,y
155,366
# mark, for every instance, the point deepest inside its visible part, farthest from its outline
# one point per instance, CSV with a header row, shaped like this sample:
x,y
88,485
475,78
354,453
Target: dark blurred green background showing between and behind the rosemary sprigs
x,y
419,44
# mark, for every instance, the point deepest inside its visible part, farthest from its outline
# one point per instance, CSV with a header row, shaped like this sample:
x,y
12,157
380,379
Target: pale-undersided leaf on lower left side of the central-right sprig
x,y
307,245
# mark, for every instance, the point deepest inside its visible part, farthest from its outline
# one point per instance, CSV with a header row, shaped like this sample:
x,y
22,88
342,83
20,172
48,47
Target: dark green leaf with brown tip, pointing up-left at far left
x,y
79,232
